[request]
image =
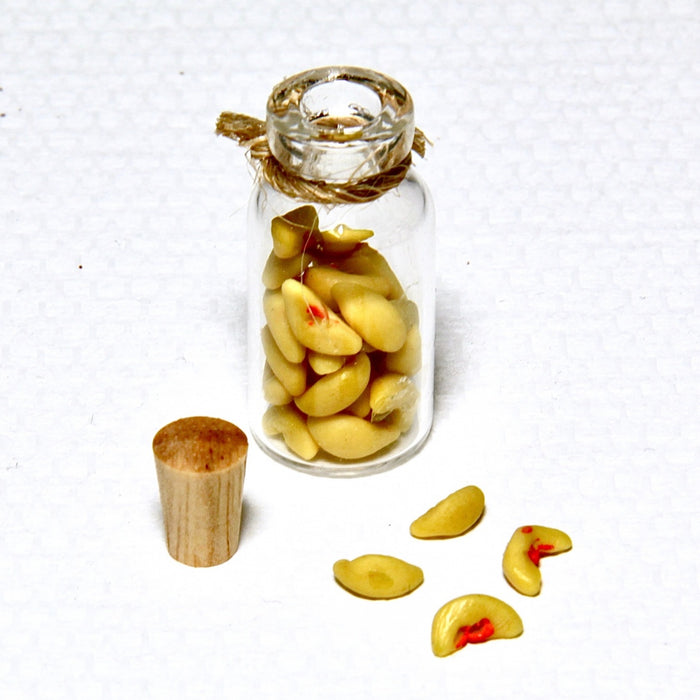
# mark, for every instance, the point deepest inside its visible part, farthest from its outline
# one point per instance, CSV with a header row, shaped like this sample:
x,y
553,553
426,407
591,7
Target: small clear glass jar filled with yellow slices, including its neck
x,y
341,317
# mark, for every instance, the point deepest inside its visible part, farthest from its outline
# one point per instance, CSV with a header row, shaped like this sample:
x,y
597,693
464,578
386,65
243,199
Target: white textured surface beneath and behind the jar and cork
x,y
566,175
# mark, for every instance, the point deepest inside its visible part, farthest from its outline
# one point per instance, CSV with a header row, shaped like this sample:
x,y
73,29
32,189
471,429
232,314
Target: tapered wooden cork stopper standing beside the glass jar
x,y
200,464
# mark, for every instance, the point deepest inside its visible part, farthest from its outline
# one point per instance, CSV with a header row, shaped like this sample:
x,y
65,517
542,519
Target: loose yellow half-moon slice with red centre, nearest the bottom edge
x,y
473,619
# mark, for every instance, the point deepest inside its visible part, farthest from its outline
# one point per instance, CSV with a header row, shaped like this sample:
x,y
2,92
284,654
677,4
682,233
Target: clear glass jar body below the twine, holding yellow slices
x,y
323,399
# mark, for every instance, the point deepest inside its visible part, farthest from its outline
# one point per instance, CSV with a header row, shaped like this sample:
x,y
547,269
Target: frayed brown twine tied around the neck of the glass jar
x,y
250,133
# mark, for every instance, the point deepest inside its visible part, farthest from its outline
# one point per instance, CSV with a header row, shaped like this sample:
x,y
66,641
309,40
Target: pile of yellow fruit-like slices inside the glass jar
x,y
341,341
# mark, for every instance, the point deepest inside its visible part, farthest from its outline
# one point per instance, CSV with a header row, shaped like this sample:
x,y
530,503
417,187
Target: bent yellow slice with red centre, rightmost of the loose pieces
x,y
527,546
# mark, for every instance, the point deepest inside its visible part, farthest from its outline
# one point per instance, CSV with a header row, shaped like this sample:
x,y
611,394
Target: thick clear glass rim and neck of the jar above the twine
x,y
339,124
